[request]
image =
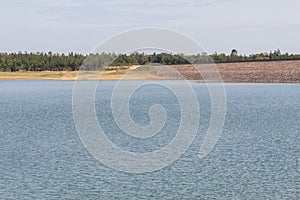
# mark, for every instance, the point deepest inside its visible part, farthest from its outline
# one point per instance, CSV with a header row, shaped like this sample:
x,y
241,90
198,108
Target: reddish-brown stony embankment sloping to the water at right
x,y
256,72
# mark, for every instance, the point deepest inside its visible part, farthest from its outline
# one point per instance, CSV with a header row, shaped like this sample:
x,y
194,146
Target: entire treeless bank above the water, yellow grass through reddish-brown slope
x,y
261,72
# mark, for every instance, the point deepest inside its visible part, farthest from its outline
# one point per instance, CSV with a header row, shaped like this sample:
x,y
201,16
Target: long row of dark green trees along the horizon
x,y
23,61
